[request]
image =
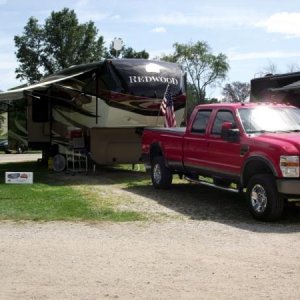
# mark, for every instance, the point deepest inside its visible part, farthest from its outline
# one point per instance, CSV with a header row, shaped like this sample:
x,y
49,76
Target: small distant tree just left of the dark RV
x,y
236,91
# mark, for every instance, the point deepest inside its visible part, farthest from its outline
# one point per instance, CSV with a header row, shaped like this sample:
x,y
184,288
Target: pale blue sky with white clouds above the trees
x,y
253,34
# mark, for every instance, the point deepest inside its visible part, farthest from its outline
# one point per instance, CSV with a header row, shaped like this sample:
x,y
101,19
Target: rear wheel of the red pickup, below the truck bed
x,y
161,175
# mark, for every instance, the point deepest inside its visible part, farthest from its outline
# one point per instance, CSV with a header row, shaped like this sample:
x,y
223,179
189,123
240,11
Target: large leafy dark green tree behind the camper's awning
x,y
60,43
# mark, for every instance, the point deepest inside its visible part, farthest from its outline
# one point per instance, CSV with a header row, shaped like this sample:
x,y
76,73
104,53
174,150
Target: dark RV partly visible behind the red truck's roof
x,y
280,88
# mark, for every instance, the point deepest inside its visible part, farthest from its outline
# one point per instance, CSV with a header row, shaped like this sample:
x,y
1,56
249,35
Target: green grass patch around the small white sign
x,y
49,199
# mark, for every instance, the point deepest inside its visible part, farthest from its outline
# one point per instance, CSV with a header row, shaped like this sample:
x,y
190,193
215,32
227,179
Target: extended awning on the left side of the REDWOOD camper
x,y
18,93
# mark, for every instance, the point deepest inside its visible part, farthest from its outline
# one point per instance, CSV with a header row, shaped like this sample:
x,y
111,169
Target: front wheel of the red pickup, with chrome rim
x,y
264,201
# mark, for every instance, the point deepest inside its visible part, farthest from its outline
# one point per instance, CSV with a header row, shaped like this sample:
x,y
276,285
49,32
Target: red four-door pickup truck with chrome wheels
x,y
248,148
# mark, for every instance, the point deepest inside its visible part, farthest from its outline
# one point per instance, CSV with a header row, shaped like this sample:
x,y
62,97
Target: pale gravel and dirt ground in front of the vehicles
x,y
199,244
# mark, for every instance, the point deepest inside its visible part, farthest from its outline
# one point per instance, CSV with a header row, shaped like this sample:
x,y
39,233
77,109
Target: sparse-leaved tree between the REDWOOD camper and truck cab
x,y
202,67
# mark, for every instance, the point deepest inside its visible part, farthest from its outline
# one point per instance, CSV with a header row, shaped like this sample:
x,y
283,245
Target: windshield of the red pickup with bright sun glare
x,y
270,119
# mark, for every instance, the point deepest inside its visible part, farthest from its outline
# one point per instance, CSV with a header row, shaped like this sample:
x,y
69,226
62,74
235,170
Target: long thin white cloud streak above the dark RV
x,y
261,55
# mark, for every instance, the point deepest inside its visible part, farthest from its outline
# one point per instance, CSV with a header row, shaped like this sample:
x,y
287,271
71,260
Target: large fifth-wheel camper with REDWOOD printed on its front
x,y
100,107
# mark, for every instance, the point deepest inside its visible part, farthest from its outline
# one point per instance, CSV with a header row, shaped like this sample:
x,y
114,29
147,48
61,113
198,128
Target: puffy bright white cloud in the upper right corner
x,y
284,23
